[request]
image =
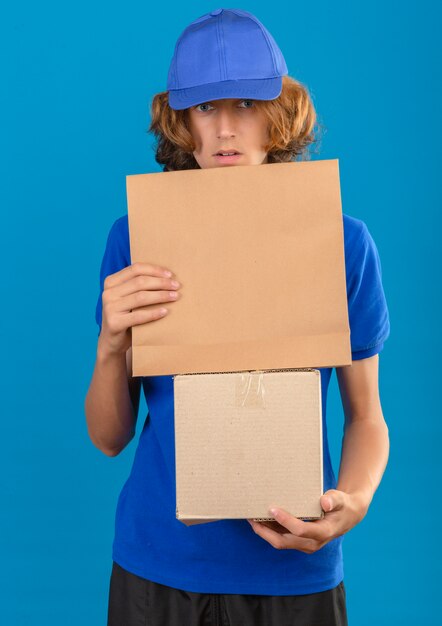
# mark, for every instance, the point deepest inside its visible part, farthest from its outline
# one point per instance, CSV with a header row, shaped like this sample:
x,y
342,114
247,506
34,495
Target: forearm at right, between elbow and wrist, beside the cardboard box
x,y
365,451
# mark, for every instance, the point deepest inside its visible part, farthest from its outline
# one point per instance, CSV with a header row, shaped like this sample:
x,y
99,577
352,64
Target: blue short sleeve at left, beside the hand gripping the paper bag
x,y
116,256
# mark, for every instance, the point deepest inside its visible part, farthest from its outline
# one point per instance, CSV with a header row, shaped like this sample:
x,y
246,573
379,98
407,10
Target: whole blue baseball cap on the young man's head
x,y
226,53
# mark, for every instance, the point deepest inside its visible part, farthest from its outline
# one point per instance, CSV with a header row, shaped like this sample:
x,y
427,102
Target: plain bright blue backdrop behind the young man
x,y
77,82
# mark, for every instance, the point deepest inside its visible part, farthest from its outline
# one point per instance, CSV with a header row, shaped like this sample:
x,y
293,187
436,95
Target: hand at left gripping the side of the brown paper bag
x,y
137,285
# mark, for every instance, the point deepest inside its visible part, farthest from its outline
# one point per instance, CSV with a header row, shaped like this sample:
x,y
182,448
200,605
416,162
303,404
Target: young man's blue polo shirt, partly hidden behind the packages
x,y
226,556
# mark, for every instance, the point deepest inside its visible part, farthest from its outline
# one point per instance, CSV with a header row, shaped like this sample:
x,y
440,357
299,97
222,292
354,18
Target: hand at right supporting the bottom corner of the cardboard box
x,y
342,512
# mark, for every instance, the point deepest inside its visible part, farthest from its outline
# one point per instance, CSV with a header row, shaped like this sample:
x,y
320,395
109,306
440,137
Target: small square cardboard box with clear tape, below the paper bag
x,y
245,441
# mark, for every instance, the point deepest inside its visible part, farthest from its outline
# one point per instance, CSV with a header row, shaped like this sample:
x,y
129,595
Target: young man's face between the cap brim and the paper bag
x,y
227,125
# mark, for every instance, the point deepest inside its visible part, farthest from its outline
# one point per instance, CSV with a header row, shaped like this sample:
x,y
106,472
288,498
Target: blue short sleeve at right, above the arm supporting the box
x,y
367,306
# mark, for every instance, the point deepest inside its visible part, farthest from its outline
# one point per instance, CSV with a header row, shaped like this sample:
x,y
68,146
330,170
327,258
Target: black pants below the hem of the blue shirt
x,y
135,601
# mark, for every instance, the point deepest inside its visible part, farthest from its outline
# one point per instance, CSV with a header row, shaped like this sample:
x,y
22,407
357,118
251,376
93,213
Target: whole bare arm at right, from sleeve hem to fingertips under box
x,y
364,457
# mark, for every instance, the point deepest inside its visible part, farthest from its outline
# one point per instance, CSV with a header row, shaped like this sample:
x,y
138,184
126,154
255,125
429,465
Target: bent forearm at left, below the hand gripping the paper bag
x,y
109,412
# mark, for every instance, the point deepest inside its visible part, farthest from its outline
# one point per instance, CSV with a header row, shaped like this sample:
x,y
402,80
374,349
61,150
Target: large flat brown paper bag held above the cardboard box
x,y
259,251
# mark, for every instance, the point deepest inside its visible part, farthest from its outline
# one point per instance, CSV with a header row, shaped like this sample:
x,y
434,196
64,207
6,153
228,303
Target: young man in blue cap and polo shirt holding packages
x,y
228,92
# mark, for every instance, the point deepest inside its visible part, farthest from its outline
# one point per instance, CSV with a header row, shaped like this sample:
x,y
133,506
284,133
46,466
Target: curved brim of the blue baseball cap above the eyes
x,y
255,89
